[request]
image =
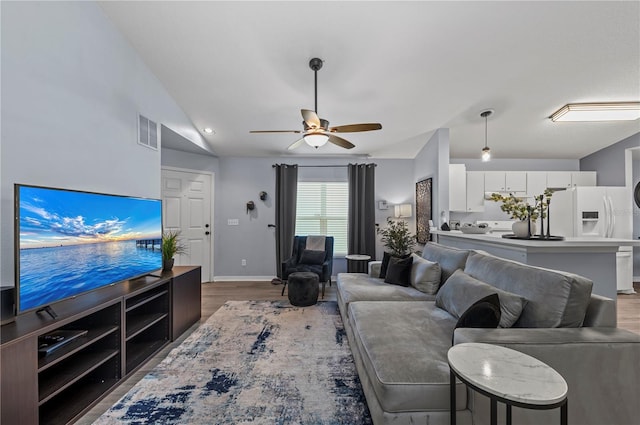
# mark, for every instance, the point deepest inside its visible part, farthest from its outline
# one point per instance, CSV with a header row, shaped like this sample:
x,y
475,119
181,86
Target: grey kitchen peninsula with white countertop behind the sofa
x,y
594,258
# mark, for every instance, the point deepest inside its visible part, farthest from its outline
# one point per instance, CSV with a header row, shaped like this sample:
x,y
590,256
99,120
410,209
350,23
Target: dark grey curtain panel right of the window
x,y
362,233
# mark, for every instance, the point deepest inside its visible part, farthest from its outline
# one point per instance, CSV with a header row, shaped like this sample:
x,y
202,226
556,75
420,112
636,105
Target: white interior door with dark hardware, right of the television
x,y
186,205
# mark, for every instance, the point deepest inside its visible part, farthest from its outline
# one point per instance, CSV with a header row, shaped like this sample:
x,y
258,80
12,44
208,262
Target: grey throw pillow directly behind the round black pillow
x,y
460,291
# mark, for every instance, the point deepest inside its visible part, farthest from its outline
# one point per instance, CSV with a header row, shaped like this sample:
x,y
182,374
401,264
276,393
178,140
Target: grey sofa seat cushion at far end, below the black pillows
x,y
361,287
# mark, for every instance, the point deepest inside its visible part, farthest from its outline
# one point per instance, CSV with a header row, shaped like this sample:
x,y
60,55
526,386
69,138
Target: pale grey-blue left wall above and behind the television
x,y
71,89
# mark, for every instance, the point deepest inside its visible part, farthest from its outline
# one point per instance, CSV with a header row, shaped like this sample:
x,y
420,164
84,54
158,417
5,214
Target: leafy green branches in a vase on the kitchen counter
x,y
519,209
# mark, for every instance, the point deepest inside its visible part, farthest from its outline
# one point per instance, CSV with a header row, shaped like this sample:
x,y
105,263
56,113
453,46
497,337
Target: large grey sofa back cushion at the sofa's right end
x,y
554,298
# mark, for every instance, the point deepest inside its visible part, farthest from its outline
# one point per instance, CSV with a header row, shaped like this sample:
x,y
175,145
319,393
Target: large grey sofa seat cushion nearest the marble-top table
x,y
403,347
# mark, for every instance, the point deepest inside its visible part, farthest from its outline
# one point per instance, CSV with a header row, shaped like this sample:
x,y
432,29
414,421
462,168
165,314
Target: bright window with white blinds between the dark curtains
x,y
322,209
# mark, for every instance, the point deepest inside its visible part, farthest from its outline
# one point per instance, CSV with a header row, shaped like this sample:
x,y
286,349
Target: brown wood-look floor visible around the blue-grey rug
x,y
214,295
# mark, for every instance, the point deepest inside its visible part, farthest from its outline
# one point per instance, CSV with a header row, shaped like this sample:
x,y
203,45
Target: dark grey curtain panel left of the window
x,y
286,195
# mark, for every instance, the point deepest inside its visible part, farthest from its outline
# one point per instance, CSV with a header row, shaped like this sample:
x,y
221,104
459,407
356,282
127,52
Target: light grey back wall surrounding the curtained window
x,y
239,180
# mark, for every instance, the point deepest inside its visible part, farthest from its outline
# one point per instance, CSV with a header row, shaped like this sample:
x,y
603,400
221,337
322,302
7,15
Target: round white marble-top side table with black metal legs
x,y
508,376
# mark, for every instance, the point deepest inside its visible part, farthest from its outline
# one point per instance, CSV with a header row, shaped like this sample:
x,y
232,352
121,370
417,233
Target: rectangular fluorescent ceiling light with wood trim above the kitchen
x,y
612,111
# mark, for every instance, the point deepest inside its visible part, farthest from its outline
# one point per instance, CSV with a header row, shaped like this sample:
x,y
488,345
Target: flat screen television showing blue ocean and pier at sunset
x,y
69,242
